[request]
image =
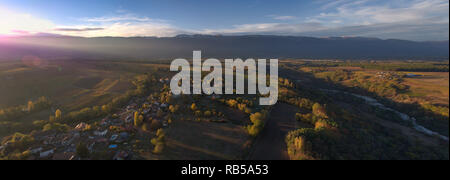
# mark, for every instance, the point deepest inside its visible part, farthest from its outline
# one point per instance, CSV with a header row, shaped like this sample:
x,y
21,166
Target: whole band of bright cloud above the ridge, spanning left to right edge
x,y
401,19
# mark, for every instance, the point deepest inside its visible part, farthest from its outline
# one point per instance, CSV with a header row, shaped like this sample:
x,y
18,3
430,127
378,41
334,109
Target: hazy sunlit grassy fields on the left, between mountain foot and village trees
x,y
69,85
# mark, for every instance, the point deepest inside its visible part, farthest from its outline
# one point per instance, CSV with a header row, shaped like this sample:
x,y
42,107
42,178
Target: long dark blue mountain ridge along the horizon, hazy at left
x,y
217,46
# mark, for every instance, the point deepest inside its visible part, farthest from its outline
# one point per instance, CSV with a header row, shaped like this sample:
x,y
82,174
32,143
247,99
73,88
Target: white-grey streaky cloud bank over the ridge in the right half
x,y
412,20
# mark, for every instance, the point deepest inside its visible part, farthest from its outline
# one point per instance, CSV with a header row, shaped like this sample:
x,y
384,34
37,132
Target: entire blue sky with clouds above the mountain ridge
x,y
418,20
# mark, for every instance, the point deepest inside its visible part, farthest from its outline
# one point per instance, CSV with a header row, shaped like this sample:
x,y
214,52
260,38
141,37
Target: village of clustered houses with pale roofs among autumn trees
x,y
115,137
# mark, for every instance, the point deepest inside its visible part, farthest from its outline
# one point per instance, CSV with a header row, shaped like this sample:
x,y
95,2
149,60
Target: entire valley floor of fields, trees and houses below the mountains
x,y
125,110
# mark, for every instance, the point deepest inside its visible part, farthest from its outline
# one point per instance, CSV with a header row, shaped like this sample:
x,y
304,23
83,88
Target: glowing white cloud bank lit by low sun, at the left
x,y
16,23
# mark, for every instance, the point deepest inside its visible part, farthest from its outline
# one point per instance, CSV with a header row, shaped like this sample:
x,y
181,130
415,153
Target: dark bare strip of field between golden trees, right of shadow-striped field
x,y
270,145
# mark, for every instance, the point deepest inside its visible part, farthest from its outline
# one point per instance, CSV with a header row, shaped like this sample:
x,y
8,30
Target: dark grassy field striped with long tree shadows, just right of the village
x,y
204,141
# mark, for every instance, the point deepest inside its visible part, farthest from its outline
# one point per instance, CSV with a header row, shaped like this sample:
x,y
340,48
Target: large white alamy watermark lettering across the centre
x,y
267,84
